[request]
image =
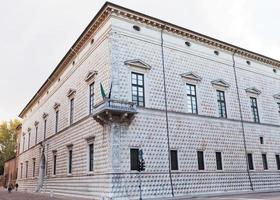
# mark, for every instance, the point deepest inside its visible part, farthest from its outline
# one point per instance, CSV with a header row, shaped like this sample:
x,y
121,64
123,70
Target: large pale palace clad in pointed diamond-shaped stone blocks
x,y
205,113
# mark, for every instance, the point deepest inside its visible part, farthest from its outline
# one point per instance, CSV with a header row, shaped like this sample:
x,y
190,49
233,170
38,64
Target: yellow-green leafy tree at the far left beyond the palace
x,y
7,141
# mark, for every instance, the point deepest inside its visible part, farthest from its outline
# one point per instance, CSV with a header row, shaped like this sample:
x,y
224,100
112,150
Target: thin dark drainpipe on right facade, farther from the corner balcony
x,y
241,118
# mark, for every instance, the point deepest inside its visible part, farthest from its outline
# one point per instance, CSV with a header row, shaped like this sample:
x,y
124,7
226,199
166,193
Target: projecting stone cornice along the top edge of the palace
x,y
109,9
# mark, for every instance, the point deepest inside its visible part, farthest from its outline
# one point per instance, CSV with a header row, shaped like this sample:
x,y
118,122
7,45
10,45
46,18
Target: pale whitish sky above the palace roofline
x,y
36,34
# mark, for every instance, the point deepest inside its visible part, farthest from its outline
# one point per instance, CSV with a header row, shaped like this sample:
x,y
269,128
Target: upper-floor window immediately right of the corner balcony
x,y
138,96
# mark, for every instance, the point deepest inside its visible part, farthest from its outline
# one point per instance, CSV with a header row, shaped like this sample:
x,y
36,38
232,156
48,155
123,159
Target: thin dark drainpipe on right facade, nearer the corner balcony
x,y
166,112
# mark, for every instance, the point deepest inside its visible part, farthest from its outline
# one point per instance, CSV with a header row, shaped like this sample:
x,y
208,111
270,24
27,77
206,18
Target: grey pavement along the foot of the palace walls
x,y
4,195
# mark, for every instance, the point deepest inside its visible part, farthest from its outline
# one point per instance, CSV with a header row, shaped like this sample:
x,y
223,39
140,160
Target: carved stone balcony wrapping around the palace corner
x,y
110,110
